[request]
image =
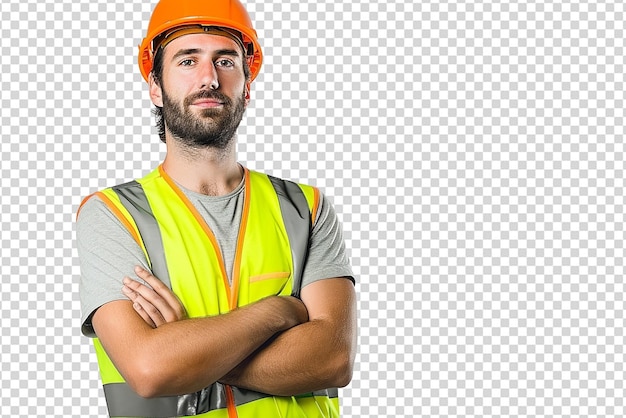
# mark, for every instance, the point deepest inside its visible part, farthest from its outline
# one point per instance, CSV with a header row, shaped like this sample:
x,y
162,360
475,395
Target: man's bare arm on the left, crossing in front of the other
x,y
186,356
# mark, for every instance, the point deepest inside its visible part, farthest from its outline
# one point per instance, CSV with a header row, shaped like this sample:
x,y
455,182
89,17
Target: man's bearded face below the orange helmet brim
x,y
203,90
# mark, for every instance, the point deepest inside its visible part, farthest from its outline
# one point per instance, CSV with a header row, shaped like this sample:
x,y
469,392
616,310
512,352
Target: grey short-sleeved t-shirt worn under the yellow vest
x,y
108,252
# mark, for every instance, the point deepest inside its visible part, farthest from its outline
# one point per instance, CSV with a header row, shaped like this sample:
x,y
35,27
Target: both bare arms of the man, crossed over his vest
x,y
279,345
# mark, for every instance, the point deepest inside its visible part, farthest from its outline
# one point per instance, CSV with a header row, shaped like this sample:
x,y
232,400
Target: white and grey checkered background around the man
x,y
474,152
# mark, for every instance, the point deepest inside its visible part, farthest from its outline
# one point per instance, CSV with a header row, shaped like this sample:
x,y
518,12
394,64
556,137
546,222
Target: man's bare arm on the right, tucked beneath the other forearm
x,y
311,356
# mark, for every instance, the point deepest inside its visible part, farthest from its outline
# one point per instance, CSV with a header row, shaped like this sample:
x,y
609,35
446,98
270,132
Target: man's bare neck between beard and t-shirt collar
x,y
209,171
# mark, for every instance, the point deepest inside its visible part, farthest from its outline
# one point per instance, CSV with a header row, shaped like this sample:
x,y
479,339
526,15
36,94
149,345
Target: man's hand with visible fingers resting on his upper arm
x,y
157,305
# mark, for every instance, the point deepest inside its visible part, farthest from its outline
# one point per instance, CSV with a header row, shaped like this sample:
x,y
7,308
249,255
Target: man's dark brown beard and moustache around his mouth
x,y
211,127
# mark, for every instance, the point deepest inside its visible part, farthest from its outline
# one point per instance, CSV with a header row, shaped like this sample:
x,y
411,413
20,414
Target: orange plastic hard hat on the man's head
x,y
225,14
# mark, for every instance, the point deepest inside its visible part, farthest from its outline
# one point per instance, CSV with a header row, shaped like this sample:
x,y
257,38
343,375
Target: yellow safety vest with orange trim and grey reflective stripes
x,y
183,253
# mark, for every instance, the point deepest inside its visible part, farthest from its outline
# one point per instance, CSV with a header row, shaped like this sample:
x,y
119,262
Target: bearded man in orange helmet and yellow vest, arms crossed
x,y
242,302
